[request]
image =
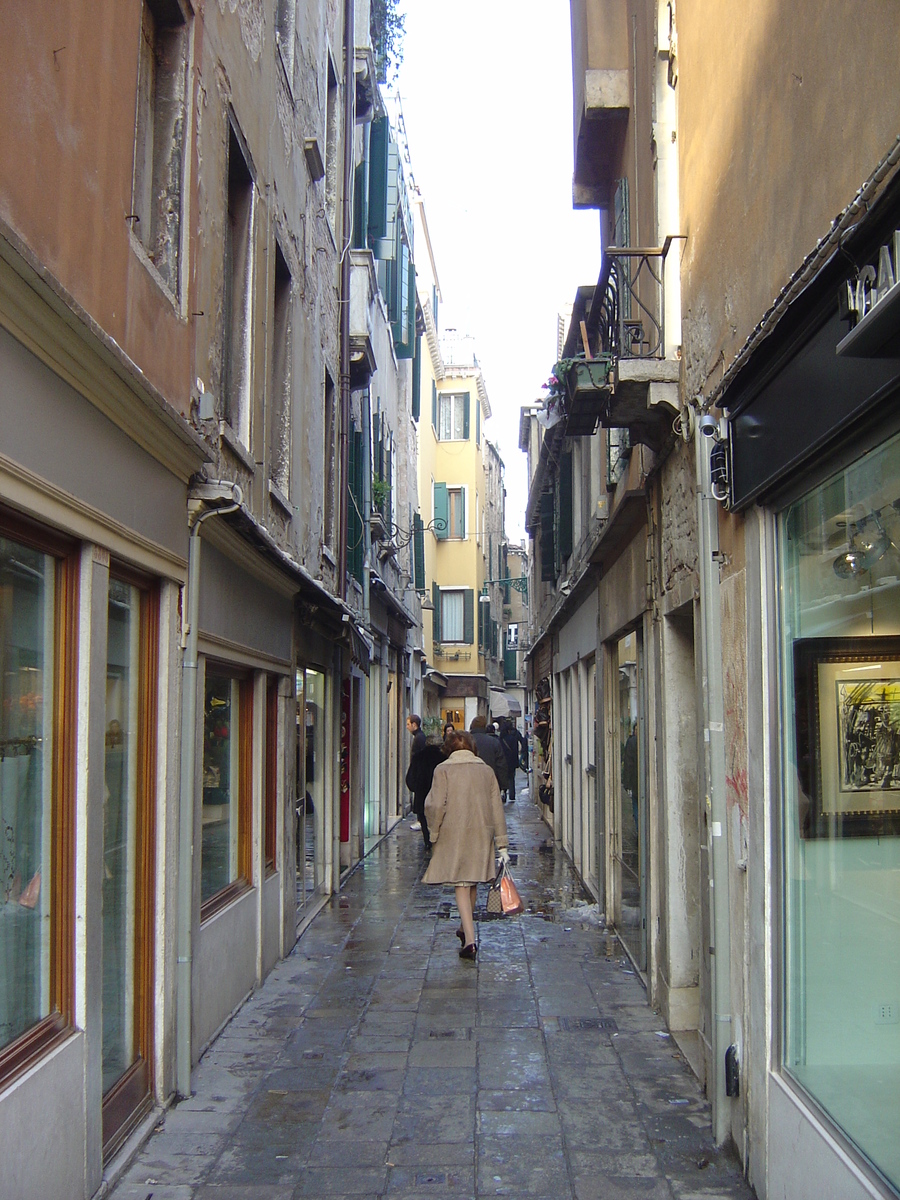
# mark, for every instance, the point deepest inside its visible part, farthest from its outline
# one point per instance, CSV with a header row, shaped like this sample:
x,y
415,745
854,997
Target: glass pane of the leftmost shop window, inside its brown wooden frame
x,y
27,752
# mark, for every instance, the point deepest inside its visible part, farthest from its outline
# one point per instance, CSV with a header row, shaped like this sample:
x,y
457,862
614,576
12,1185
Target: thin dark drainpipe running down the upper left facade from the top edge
x,y
350,109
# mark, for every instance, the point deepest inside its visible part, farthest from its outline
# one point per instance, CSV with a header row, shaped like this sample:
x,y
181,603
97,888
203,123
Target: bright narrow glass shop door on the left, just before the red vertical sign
x,y
311,795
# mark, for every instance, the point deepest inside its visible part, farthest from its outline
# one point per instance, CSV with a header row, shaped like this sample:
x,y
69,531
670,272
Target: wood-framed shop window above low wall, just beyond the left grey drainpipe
x,y
227,733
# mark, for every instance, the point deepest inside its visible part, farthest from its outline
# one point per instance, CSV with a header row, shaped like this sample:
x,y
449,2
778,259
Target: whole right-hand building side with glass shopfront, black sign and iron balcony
x,y
727,399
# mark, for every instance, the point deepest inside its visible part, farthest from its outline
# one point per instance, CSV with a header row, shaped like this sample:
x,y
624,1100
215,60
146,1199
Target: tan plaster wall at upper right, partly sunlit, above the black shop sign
x,y
784,111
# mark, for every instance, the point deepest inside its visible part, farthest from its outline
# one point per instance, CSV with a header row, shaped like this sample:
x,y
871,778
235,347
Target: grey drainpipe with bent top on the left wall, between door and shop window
x,y
187,806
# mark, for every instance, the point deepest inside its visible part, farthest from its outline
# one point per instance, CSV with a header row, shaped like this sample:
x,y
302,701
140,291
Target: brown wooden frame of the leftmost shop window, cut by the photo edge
x,y
21,1054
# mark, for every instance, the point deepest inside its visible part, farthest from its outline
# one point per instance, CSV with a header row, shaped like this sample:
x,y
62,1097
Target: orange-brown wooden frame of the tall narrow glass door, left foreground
x,y
131,1096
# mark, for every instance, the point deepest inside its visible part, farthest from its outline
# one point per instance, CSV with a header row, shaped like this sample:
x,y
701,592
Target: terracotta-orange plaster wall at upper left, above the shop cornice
x,y
67,161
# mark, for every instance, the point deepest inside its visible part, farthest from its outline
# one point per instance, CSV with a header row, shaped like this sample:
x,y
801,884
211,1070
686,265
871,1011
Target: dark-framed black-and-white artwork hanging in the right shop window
x,y
848,731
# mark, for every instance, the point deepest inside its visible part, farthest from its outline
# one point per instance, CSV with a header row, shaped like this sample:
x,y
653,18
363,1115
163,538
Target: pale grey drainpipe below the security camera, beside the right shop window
x,y
717,817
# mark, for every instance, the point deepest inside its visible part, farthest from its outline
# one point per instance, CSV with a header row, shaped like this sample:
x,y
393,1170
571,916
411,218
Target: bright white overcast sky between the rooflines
x,y
487,94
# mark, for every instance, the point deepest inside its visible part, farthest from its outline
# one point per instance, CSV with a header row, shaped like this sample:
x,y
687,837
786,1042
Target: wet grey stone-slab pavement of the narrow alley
x,y
375,1064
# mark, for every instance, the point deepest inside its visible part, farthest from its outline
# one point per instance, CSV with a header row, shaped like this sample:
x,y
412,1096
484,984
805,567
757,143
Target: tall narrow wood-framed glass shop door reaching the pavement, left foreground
x,y
127,931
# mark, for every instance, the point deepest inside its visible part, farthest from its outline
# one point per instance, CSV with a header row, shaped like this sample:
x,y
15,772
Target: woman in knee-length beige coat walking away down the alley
x,y
466,823
